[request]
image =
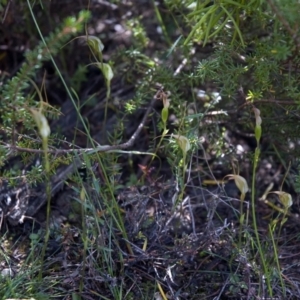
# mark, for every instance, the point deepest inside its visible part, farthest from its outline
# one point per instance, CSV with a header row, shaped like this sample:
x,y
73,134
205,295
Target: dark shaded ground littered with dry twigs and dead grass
x,y
192,249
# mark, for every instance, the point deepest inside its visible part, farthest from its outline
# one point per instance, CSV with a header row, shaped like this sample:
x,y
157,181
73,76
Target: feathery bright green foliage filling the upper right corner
x,y
254,59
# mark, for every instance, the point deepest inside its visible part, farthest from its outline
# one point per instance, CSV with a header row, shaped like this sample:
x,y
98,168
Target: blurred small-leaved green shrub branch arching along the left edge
x,y
16,100
